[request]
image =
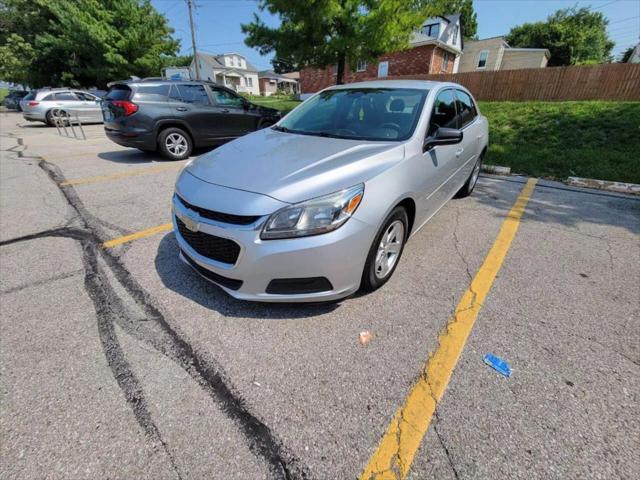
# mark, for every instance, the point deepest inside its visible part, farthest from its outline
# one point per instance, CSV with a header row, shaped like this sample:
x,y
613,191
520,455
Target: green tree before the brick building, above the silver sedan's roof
x,y
317,33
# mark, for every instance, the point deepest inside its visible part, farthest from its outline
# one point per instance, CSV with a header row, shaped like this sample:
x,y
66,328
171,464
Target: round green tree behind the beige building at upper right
x,y
574,36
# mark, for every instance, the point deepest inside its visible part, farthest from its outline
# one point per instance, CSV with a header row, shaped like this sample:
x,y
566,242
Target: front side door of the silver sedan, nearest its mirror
x,y
440,162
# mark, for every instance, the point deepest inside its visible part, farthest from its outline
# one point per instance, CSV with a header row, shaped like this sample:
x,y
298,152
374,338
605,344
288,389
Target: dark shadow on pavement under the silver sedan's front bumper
x,y
182,279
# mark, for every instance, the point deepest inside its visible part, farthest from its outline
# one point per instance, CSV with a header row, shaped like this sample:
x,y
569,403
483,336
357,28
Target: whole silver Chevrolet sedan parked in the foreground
x,y
322,204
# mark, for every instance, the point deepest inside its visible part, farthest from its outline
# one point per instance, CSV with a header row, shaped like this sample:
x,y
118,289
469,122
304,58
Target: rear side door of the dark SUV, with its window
x,y
191,103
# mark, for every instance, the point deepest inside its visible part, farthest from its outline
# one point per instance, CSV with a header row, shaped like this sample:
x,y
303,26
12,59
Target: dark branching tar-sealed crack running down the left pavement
x,y
156,331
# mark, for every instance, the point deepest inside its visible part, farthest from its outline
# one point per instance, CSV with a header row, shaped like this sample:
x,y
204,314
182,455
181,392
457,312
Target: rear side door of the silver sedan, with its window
x,y
472,135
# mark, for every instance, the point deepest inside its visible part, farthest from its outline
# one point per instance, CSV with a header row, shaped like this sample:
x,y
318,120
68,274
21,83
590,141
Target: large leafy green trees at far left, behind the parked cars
x,y
83,43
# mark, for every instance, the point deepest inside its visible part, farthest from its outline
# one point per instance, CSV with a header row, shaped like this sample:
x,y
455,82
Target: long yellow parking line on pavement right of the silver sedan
x,y
400,442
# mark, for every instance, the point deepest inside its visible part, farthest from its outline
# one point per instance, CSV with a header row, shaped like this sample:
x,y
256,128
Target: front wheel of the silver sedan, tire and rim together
x,y
386,250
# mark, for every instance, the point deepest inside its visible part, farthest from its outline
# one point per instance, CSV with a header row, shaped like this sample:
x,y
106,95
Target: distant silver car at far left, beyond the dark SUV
x,y
42,105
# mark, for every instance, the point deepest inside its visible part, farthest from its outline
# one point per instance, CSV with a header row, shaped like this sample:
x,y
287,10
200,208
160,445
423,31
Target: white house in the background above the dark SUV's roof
x,y
229,69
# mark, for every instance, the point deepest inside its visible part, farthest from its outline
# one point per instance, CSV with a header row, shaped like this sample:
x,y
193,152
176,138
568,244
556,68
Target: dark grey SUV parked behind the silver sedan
x,y
176,116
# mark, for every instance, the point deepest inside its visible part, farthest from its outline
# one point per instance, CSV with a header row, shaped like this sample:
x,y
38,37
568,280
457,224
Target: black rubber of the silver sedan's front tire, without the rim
x,y
371,275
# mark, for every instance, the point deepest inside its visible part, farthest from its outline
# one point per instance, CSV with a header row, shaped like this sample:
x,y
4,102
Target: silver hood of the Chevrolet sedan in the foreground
x,y
291,167
